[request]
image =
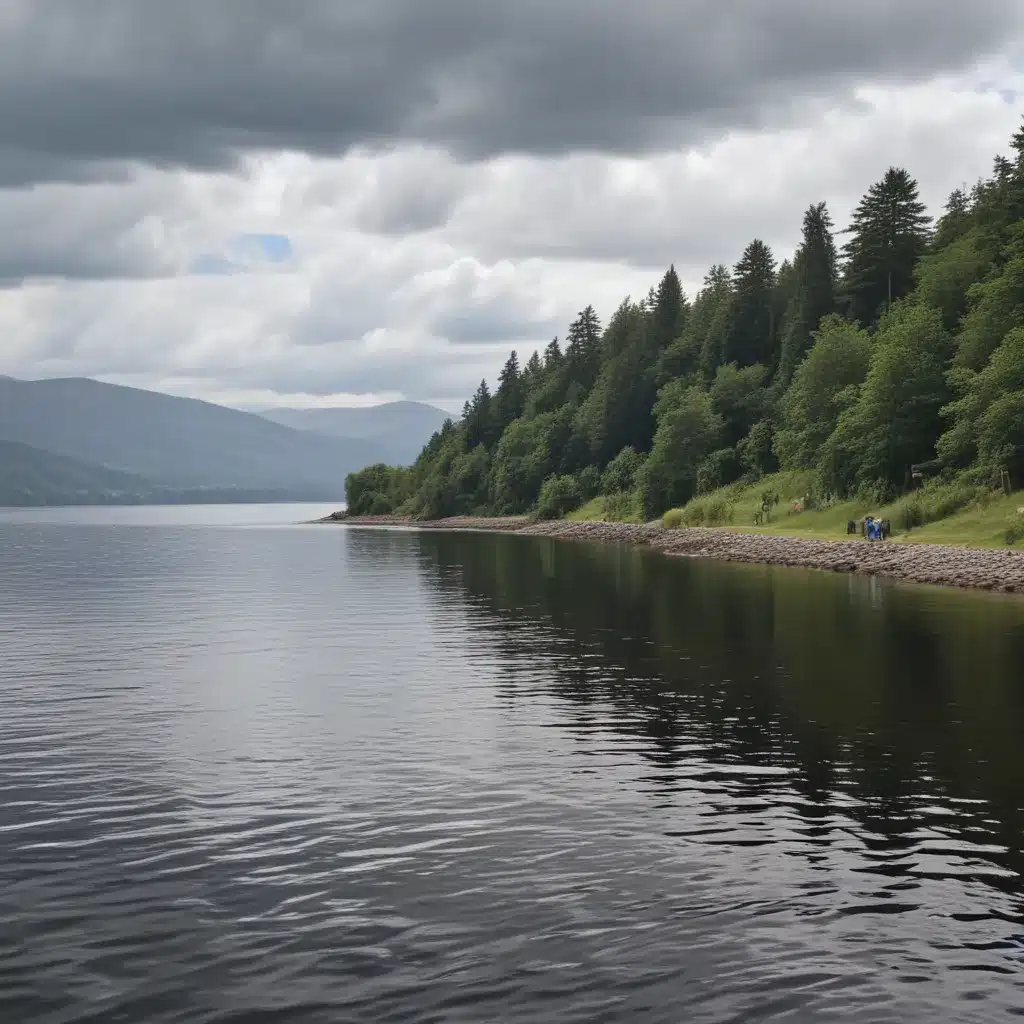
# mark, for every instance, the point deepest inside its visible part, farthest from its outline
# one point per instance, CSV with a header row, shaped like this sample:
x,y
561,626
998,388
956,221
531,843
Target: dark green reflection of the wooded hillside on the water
x,y
893,695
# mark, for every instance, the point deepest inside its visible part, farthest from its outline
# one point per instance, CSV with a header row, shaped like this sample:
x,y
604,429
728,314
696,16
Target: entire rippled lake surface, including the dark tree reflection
x,y
262,774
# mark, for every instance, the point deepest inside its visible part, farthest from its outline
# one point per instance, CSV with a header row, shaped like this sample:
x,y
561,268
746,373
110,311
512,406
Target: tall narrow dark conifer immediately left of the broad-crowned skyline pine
x,y
815,295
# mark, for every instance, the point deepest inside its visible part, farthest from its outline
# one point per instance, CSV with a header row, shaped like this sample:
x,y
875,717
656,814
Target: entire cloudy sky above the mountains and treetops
x,y
340,202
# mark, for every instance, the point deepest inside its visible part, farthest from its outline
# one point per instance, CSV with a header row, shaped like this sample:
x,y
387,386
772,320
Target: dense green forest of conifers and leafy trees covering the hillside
x,y
904,348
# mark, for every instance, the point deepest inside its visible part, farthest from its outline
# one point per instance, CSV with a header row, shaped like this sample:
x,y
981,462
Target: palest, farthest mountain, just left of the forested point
x,y
399,429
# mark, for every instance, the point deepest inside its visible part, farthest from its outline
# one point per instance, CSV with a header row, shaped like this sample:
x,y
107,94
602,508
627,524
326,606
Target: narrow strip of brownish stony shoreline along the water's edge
x,y
947,566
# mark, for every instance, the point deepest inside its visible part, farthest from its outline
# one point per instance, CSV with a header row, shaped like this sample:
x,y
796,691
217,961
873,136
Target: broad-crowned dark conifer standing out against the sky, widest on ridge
x,y
890,233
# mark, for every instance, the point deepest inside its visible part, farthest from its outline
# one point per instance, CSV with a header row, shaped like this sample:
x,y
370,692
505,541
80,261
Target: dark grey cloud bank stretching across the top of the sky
x,y
90,84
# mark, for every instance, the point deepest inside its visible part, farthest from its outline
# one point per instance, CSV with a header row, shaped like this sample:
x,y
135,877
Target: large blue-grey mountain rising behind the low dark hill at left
x,y
177,444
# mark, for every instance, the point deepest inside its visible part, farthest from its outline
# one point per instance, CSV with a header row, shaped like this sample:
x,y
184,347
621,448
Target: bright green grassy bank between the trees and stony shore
x,y
955,514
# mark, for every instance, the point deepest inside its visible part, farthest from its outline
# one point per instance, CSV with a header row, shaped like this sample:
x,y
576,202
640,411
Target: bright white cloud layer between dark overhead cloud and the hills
x,y
411,275
